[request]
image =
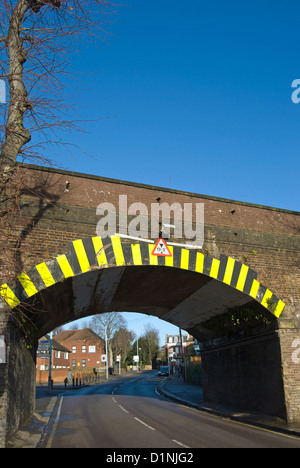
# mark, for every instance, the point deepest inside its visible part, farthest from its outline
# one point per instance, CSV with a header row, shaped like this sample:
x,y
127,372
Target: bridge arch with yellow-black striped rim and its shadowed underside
x,y
97,275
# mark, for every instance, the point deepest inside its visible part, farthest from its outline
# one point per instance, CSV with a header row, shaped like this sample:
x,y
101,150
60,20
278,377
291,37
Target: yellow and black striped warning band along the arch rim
x,y
91,253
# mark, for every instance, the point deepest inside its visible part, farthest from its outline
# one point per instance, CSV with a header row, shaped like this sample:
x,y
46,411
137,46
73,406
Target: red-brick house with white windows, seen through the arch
x,y
86,348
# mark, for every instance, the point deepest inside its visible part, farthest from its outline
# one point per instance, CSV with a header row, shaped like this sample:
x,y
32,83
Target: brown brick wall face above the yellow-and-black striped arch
x,y
267,239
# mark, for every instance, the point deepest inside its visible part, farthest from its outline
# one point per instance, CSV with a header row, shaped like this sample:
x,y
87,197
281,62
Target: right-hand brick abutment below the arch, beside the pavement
x,y
247,374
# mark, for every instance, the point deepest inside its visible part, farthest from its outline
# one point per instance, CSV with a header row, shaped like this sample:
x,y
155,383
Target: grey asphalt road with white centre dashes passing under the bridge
x,y
129,413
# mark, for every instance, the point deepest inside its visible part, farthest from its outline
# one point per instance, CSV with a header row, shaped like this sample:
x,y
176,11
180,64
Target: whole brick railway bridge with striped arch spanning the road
x,y
239,295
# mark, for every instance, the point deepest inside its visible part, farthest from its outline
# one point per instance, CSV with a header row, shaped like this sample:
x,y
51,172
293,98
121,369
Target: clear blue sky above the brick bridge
x,y
194,96
